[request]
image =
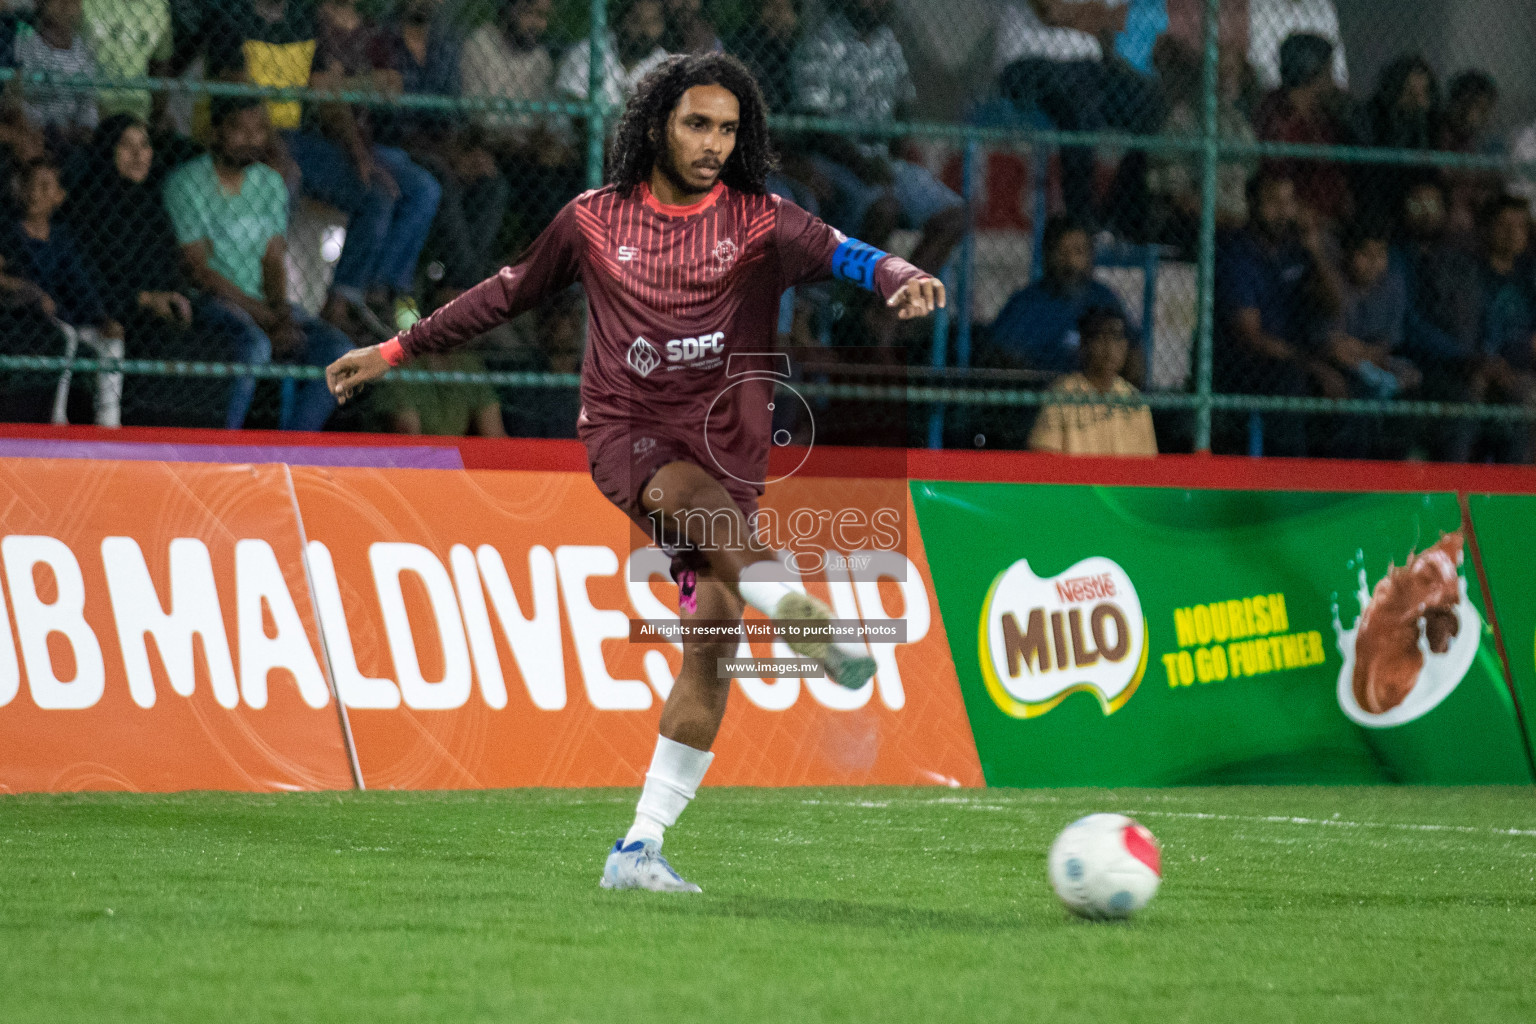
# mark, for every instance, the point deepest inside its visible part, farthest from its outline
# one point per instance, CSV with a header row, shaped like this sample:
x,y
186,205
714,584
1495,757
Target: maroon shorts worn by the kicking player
x,y
623,461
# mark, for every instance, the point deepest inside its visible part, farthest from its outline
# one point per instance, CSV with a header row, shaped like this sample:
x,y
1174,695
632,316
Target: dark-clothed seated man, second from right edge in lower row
x,y
1445,296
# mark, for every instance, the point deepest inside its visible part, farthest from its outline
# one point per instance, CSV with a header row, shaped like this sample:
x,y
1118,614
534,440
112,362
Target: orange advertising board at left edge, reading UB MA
x,y
157,632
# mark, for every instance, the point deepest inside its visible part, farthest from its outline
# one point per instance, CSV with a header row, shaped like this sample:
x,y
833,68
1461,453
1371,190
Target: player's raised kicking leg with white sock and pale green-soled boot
x,y
690,503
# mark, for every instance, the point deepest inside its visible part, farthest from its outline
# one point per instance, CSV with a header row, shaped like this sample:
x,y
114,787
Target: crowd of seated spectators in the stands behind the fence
x,y
136,231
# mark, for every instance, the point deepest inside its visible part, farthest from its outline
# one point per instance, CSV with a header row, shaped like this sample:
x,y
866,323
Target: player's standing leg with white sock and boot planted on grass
x,y
690,722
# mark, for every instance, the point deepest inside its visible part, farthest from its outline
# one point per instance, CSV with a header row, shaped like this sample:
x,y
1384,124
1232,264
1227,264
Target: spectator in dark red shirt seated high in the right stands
x,y
1305,110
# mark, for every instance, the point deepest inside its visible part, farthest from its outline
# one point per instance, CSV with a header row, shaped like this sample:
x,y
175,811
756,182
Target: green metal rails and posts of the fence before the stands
x,y
1211,148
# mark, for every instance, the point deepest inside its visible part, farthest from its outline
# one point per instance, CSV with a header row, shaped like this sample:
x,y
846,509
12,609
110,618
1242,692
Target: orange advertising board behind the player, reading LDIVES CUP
x,y
478,630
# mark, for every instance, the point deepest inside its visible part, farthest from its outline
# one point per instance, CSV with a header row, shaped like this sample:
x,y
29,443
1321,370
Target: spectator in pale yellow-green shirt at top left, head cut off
x,y
130,39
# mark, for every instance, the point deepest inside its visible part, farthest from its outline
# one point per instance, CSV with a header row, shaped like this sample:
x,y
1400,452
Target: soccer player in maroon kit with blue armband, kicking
x,y
684,245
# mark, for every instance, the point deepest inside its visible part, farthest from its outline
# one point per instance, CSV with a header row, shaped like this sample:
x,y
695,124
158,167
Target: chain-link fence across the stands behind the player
x,y
1127,199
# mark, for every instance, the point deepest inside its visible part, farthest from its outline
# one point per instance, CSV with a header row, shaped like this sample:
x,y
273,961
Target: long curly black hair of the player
x,y
643,131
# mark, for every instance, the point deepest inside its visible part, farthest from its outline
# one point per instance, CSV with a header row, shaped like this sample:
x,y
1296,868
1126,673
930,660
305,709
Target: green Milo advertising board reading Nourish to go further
x,y
1148,636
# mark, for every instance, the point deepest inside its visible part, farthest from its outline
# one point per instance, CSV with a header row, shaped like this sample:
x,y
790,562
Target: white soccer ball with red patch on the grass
x,y
1105,867
